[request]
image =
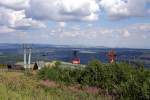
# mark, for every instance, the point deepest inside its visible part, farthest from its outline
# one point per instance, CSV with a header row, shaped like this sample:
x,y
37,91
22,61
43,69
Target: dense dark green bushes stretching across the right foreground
x,y
121,80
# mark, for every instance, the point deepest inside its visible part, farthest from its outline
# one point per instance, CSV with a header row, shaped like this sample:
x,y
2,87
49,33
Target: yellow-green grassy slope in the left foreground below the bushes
x,y
18,86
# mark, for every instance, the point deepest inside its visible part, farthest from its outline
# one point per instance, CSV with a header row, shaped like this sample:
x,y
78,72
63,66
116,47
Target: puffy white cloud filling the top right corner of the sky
x,y
117,9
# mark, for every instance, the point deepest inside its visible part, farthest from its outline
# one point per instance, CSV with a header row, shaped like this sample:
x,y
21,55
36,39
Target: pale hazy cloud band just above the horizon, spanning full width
x,y
111,37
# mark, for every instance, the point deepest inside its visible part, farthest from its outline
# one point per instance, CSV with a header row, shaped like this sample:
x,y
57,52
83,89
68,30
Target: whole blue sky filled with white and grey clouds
x,y
109,23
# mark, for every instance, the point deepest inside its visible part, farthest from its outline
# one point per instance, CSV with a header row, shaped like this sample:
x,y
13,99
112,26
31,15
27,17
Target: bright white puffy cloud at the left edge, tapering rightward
x,y
17,19
